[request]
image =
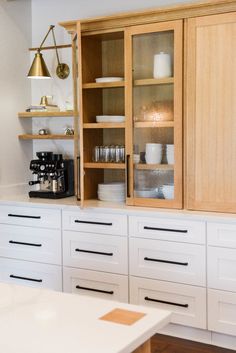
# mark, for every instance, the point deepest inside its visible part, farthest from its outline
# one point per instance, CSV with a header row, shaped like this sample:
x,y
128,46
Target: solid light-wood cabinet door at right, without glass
x,y
211,113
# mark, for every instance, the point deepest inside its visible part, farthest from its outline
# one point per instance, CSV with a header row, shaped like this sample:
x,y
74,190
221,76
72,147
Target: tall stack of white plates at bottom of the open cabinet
x,y
113,192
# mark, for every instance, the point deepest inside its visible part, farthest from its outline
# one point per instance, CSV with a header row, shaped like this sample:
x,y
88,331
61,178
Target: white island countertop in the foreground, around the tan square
x,y
42,321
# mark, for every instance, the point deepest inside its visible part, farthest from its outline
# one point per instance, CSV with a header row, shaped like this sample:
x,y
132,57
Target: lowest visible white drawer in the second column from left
x,y
96,284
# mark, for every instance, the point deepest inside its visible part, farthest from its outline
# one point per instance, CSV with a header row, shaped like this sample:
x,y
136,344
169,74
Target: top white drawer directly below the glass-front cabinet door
x,y
168,229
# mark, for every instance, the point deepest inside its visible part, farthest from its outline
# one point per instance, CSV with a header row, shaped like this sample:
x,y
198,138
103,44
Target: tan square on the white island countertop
x,y
124,317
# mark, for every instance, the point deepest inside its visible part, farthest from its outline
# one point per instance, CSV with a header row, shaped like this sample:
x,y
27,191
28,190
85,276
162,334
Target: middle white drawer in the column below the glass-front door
x,y
177,262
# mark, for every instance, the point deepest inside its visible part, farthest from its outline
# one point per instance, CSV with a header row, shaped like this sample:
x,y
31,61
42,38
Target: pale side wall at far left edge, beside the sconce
x,y
15,91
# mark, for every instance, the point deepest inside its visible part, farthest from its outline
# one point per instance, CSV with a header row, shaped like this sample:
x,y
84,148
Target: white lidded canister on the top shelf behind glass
x,y
162,65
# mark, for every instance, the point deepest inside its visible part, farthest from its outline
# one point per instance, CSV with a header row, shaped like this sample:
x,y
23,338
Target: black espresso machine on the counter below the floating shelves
x,y
54,176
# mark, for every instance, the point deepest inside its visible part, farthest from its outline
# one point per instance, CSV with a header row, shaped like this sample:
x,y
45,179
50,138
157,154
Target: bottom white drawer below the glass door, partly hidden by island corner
x,y
187,303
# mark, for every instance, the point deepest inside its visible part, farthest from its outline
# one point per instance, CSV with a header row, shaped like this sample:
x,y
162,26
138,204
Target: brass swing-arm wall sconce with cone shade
x,y
39,68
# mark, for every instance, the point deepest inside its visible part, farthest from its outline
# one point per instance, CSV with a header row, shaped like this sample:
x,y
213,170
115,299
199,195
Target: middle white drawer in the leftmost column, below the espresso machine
x,y
31,244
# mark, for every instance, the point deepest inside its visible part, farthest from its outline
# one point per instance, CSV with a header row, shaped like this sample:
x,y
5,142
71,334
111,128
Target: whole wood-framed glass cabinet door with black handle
x,y
154,114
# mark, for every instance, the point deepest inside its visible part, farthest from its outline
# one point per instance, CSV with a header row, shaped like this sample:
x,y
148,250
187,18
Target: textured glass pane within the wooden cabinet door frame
x,y
153,115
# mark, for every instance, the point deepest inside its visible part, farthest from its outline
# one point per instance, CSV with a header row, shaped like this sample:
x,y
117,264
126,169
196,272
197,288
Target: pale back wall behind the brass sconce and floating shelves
x,y
46,12
